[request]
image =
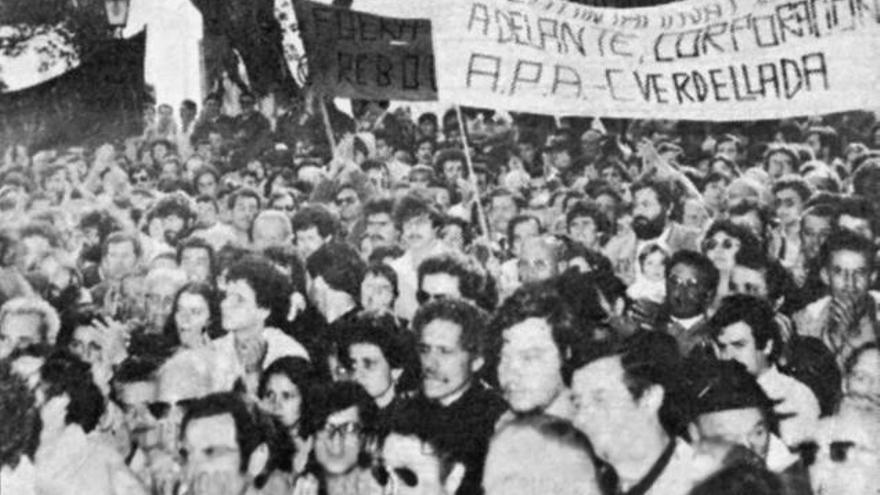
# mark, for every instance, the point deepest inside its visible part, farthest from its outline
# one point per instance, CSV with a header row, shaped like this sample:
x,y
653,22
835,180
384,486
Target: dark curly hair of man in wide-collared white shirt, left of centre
x,y
271,287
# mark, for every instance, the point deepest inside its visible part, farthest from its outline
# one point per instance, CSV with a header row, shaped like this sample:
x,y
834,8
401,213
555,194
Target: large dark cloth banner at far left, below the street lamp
x,y
97,102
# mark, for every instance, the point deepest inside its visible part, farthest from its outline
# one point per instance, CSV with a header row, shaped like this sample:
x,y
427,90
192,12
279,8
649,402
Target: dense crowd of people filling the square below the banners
x,y
318,303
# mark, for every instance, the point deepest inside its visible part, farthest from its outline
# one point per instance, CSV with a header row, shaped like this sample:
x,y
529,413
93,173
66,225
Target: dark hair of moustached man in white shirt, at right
x,y
753,311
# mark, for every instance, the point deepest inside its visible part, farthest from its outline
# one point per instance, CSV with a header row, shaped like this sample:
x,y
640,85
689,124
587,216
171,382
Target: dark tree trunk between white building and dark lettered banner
x,y
248,28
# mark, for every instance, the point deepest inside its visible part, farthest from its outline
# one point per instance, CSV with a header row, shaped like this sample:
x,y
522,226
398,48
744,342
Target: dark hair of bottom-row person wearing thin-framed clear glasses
x,y
333,397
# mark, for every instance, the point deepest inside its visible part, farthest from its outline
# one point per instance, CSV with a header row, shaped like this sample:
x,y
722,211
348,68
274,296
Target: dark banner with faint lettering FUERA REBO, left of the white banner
x,y
357,55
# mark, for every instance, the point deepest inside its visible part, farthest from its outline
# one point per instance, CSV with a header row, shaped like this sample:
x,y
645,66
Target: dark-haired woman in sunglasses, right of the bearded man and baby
x,y
722,242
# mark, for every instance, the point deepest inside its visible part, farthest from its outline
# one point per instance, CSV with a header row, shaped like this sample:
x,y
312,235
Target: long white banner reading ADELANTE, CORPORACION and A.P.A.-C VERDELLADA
x,y
698,59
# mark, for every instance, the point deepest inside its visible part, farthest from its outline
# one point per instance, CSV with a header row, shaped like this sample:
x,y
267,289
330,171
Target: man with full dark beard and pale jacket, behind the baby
x,y
653,201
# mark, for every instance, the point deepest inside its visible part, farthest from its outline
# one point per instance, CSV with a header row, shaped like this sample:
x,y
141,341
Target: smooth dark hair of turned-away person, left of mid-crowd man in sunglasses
x,y
340,266
